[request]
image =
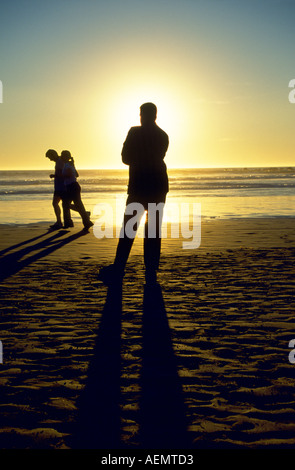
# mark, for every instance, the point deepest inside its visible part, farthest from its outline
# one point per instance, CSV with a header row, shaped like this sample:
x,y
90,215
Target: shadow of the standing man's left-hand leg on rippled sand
x,y
98,425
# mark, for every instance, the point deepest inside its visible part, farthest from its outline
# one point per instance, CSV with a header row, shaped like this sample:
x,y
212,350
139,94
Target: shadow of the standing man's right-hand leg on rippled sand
x,y
163,415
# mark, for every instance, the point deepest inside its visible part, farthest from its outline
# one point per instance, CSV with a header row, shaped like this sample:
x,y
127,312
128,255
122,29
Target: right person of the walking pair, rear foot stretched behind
x,y
72,192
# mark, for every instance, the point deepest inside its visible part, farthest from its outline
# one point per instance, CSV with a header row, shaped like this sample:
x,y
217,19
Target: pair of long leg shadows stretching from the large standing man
x,y
162,415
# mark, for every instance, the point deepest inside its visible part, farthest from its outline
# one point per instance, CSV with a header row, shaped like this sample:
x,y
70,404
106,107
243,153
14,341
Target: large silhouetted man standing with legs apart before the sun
x,y
144,150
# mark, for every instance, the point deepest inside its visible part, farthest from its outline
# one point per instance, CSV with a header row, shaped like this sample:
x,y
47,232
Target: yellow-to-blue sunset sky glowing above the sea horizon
x,y
75,80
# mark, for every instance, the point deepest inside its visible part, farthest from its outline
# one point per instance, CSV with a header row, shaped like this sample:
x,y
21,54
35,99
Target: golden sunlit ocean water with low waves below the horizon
x,y
25,196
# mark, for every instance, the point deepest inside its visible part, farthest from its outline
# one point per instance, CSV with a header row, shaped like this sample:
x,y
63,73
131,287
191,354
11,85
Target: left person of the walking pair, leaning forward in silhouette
x,y
59,189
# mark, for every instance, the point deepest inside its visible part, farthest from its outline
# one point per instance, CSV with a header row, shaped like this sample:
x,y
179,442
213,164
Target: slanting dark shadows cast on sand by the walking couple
x,y
13,262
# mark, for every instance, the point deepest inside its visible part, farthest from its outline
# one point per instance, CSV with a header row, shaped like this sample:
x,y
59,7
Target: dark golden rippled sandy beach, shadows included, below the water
x,y
199,362
